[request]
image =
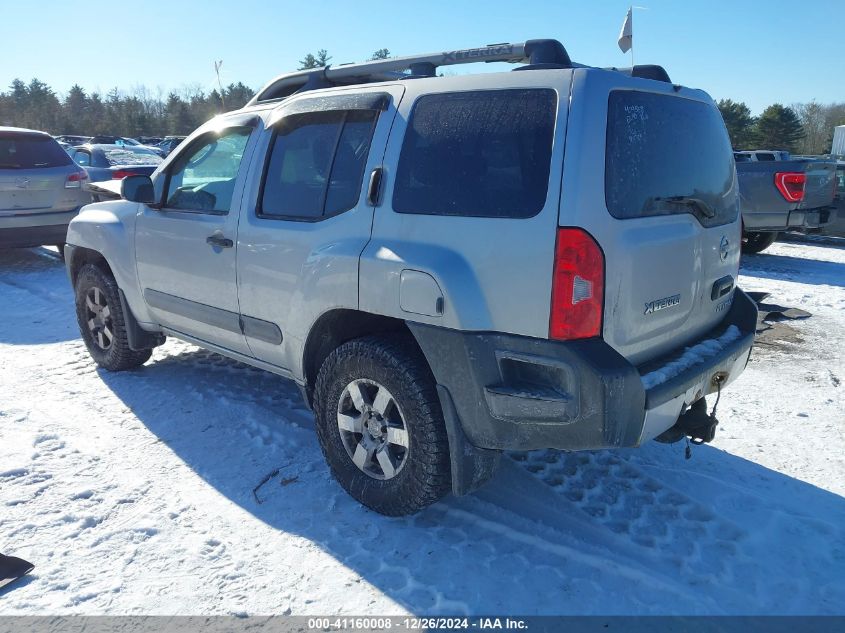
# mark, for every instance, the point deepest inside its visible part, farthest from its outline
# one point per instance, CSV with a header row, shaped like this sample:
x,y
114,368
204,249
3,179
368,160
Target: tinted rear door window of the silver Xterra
x,y
316,164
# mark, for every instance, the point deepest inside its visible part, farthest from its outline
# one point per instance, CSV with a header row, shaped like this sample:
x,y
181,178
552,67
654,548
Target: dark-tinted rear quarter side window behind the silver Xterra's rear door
x,y
483,154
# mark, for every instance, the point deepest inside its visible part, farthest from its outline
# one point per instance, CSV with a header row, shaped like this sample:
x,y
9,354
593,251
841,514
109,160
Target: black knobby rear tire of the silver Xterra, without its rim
x,y
397,364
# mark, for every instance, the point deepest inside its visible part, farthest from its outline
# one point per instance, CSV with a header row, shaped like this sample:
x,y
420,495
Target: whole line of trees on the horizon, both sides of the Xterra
x,y
805,128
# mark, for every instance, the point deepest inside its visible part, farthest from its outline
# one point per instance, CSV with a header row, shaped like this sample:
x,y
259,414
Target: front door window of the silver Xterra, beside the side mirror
x,y
203,177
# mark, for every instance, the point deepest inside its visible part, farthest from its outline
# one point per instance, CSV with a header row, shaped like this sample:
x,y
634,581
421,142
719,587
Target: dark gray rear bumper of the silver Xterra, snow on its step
x,y
517,393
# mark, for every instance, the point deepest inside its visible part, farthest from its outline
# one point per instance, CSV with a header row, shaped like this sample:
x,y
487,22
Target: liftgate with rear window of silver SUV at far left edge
x,y
33,172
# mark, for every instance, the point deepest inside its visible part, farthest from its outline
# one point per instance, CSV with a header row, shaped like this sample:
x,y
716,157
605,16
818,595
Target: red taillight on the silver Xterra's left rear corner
x,y
577,286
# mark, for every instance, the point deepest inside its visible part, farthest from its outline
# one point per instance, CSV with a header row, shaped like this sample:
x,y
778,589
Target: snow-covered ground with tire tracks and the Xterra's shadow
x,y
133,493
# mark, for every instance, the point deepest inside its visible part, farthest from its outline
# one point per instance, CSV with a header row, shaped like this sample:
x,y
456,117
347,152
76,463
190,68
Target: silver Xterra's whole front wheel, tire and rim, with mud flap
x,y
102,323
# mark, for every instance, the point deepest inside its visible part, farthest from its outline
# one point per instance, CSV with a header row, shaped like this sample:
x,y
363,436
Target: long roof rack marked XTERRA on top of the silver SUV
x,y
537,53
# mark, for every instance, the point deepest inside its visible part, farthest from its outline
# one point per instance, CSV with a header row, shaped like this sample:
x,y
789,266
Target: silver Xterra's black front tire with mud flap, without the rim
x,y
118,356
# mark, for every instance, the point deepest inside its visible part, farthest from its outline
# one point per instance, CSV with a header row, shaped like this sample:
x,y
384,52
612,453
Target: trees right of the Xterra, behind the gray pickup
x,y
804,128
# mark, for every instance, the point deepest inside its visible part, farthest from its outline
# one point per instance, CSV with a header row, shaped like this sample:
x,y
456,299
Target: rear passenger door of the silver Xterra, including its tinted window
x,y
307,216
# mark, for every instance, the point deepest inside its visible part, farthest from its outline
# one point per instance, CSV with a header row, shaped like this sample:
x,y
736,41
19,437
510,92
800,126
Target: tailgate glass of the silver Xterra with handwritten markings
x,y
667,155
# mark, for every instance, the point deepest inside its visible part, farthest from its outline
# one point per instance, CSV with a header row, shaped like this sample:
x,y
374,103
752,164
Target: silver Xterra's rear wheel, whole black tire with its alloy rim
x,y
380,425
